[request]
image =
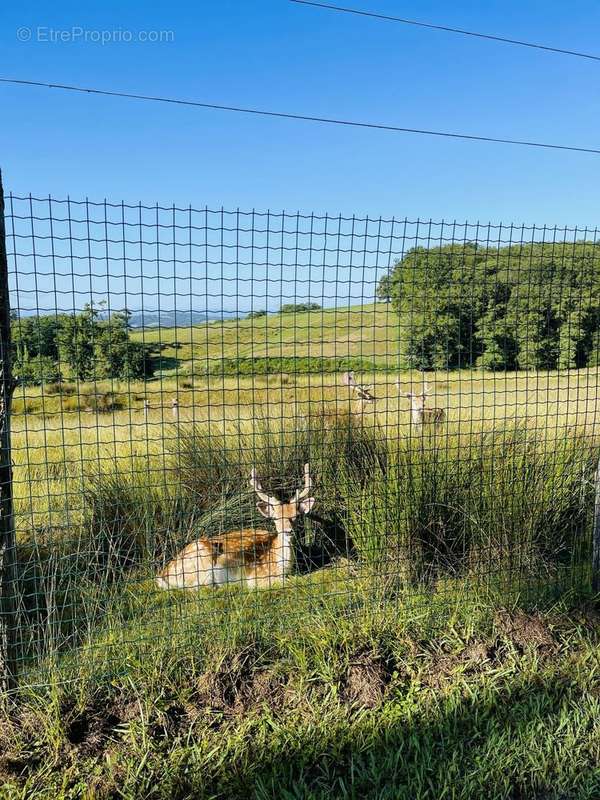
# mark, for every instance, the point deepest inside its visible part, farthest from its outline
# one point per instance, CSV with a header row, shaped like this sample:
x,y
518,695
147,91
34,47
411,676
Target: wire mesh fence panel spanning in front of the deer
x,y
222,417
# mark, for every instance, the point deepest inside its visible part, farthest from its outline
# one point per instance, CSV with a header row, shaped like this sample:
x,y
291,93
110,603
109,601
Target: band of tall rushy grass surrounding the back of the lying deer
x,y
513,511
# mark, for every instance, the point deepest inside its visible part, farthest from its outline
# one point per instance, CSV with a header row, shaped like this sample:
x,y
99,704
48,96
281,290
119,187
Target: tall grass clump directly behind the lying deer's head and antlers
x,y
213,471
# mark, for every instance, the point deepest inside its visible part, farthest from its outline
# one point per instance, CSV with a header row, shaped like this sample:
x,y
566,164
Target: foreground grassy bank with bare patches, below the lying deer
x,y
362,695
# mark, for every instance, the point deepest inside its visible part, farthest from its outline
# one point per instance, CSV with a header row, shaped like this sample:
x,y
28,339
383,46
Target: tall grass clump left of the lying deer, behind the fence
x,y
69,578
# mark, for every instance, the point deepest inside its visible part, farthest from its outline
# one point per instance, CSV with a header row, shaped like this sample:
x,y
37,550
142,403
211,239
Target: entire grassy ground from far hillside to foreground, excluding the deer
x,y
437,649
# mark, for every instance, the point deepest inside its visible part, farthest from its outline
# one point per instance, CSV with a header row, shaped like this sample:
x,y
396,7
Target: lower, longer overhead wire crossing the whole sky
x,y
304,117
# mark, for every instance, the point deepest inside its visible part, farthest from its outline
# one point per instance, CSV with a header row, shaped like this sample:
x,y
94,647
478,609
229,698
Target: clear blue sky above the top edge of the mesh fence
x,y
281,56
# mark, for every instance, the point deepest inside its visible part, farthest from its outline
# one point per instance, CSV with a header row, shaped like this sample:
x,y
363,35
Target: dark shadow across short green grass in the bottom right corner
x,y
531,740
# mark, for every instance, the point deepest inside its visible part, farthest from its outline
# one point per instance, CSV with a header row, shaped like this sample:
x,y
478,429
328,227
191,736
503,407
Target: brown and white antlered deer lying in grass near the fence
x,y
254,557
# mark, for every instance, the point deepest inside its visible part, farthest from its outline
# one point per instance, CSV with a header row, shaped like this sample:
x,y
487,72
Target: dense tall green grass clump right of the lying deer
x,y
505,504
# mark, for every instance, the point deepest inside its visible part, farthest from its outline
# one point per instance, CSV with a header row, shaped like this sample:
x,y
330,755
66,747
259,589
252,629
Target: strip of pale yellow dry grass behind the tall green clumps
x,y
56,443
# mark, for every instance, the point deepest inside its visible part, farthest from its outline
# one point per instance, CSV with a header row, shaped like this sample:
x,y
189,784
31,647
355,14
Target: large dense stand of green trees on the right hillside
x,y
525,306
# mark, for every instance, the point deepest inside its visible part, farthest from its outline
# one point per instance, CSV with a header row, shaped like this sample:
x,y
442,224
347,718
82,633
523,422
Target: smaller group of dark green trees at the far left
x,y
83,346
